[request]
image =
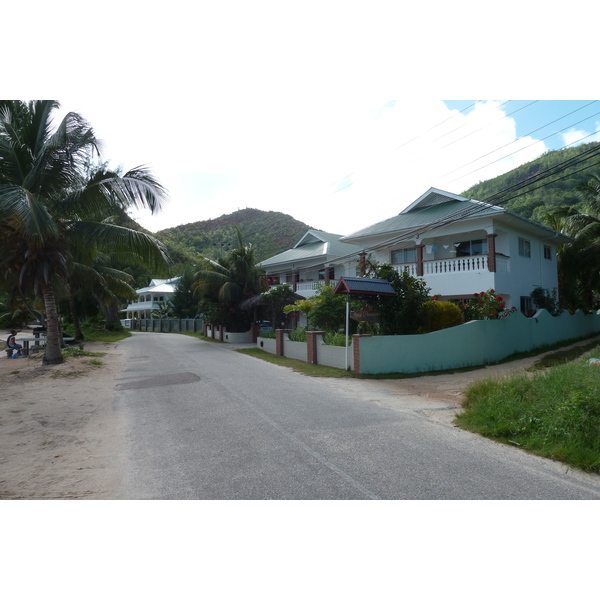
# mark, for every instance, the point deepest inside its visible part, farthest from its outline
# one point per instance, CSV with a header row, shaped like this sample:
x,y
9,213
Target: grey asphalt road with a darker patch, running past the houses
x,y
204,422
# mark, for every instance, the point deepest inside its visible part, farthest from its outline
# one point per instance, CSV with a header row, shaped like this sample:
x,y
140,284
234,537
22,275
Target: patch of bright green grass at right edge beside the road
x,y
554,413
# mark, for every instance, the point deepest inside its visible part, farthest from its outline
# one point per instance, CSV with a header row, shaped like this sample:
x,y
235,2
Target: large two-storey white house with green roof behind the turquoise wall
x,y
461,246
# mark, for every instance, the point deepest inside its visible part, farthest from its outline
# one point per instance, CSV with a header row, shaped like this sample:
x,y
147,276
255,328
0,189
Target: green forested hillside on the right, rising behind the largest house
x,y
560,188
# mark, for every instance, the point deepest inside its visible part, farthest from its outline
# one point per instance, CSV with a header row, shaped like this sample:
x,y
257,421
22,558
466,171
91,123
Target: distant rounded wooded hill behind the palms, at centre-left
x,y
269,232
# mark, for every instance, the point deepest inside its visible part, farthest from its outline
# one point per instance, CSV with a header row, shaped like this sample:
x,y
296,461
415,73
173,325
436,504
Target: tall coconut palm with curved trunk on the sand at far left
x,y
54,205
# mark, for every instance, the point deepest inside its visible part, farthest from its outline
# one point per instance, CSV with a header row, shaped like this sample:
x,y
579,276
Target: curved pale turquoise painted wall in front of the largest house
x,y
472,344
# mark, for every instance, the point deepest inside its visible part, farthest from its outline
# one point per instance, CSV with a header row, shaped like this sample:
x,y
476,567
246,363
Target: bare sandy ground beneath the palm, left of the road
x,y
59,436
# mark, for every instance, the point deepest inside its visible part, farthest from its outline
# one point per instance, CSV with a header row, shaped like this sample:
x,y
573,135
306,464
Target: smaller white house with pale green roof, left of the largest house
x,y
317,258
